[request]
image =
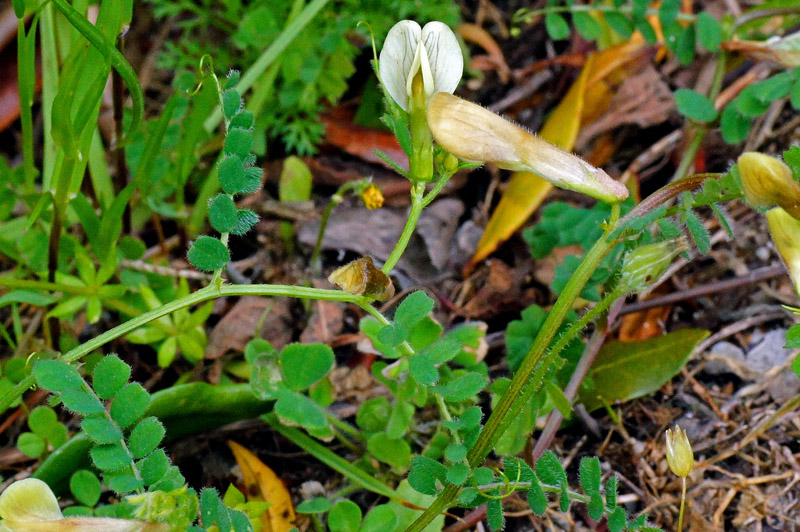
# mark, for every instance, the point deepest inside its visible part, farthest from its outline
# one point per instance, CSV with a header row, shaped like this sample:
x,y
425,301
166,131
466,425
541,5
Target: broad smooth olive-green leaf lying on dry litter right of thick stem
x,y
626,370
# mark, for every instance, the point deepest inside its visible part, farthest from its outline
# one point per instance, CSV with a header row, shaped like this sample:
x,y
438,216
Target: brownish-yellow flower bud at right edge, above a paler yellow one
x,y
767,181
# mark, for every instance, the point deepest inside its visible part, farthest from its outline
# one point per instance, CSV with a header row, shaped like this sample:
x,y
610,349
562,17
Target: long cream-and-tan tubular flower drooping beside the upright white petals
x,y
477,135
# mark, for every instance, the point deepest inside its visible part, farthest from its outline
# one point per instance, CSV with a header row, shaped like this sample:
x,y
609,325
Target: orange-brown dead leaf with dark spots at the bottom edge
x,y
262,484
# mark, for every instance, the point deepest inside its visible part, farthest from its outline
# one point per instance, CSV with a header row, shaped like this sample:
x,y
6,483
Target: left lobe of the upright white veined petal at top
x,y
397,57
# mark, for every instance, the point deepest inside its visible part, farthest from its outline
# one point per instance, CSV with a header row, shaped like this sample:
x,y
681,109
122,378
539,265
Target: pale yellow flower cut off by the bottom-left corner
x,y
29,506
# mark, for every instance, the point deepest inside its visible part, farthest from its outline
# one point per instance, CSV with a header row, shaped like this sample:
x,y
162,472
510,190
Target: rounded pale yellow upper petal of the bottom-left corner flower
x,y
29,500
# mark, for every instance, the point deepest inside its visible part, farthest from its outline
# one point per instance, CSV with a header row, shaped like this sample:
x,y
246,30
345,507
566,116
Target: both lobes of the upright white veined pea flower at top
x,y
432,51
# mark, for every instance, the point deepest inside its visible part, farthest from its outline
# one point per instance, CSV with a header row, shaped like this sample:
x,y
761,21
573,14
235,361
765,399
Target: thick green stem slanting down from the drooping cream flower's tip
x,y
528,377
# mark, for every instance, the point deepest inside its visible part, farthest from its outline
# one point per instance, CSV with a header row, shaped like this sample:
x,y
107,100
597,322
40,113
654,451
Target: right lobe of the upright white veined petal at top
x,y
444,55
